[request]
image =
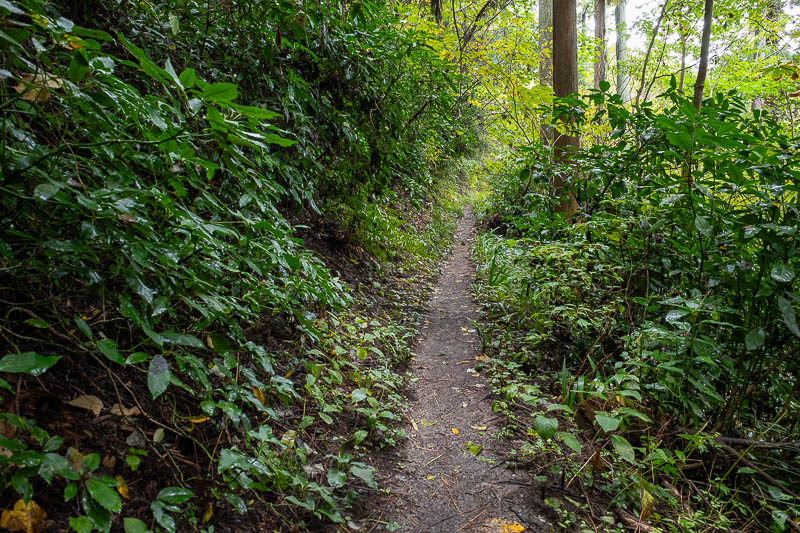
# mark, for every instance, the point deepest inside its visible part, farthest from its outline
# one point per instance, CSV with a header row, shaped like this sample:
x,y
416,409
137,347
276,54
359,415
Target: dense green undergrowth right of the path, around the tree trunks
x,y
667,308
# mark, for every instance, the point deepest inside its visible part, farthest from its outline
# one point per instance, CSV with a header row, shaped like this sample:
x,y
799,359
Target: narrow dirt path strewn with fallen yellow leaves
x,y
449,474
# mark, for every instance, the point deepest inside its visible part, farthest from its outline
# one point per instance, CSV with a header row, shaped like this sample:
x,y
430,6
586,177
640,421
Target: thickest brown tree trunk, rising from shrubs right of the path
x,y
565,82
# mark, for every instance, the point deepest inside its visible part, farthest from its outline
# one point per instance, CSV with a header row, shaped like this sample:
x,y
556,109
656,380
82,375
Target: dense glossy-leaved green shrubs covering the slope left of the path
x,y
163,171
